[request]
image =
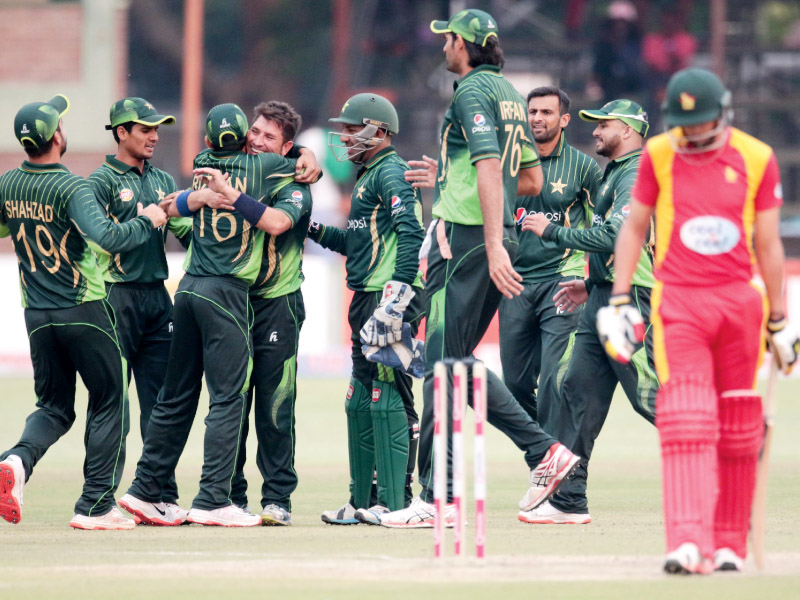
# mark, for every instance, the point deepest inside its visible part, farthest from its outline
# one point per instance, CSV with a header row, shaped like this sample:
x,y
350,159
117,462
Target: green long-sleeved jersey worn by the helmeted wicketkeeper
x,y
384,230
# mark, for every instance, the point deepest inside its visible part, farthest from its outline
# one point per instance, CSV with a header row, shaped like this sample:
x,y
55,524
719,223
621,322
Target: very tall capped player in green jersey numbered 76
x,y
485,160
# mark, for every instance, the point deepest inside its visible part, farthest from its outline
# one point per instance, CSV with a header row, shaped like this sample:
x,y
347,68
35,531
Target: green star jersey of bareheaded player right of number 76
x,y
571,180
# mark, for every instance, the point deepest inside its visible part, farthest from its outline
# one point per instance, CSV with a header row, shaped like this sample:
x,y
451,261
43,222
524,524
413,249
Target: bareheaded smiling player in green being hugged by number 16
x,y
278,315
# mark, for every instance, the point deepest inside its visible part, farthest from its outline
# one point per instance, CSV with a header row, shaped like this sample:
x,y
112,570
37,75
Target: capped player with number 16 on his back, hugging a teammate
x,y
211,333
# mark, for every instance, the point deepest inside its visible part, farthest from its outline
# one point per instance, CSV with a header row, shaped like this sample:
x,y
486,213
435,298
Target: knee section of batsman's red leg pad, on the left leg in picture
x,y
686,412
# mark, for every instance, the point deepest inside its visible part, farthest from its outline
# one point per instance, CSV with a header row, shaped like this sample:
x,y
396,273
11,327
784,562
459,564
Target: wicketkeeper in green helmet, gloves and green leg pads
x,y
382,241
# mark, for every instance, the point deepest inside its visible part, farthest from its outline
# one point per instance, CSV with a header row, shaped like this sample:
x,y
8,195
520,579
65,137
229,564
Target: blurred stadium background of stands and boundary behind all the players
x,y
188,55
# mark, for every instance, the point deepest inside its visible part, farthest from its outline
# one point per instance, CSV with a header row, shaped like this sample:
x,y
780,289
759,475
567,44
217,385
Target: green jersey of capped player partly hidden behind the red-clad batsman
x,y
611,209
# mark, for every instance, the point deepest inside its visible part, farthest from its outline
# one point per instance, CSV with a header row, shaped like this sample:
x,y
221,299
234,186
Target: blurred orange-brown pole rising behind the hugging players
x,y
191,91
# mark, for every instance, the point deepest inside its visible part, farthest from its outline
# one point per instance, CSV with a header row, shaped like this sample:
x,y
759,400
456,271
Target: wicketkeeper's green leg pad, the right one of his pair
x,y
390,423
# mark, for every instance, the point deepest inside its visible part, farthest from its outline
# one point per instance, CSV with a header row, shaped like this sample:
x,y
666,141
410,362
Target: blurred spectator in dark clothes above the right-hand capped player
x,y
617,70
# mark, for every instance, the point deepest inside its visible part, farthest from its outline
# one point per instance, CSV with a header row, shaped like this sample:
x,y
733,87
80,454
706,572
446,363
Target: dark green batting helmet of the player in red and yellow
x,y
694,96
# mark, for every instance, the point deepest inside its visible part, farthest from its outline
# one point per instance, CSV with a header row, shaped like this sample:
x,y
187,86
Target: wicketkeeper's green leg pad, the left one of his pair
x,y
360,443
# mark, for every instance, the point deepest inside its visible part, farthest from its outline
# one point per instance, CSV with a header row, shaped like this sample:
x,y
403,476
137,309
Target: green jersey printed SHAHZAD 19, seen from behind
x,y
48,212
